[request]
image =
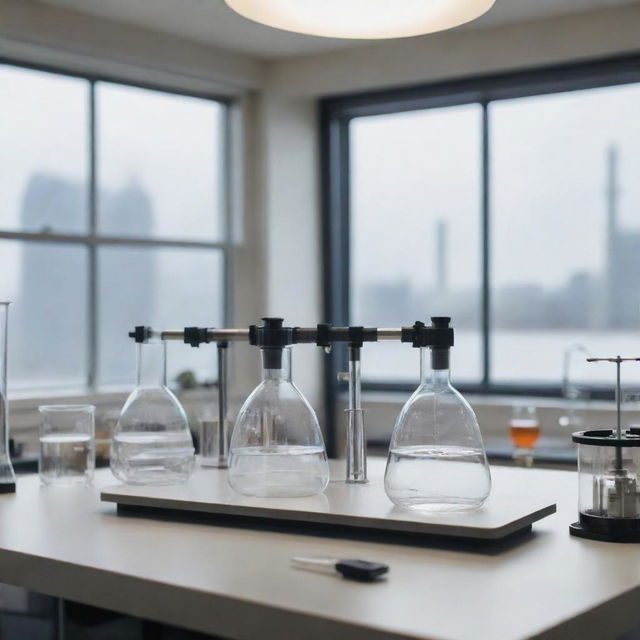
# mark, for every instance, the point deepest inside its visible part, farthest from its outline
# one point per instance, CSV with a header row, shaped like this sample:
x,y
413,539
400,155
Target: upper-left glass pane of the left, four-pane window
x,y
43,151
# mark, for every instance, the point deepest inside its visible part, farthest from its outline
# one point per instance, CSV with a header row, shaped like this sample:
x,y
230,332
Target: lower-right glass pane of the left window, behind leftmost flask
x,y
163,287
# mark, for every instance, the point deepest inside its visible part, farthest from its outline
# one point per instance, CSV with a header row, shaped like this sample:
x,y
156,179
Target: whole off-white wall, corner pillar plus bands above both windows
x,y
277,266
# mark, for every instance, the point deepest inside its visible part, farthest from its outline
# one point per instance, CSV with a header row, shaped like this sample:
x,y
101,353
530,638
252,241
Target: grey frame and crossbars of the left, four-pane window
x,y
93,240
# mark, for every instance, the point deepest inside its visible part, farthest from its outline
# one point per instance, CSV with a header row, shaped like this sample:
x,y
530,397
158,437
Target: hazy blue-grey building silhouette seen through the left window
x,y
52,311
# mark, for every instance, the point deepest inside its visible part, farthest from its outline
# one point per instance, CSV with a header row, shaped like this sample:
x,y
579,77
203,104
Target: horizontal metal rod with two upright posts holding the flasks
x,y
323,335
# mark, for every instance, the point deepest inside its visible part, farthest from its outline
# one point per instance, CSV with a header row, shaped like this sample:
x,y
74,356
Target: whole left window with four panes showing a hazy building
x,y
112,214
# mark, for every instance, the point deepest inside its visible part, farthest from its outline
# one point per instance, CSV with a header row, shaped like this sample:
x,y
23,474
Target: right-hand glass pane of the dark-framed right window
x,y
565,235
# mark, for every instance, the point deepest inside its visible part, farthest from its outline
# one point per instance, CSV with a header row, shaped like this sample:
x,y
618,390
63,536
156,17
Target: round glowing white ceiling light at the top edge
x,y
364,19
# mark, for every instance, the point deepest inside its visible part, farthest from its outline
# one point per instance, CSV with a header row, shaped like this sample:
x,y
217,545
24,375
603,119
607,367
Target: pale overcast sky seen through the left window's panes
x,y
168,145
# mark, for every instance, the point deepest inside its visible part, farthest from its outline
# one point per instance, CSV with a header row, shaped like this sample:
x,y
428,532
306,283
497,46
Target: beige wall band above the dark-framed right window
x,y
460,52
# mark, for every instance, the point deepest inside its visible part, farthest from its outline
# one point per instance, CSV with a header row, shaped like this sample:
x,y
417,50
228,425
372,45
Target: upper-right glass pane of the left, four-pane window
x,y
160,169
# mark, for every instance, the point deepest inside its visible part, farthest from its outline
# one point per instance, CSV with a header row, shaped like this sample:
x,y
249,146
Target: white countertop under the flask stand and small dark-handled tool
x,y
238,583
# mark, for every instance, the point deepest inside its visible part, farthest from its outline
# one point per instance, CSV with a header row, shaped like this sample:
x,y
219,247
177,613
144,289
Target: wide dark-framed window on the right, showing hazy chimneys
x,y
509,203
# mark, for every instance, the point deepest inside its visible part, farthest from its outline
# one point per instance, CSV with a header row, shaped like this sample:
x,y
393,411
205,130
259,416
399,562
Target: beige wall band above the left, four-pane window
x,y
48,35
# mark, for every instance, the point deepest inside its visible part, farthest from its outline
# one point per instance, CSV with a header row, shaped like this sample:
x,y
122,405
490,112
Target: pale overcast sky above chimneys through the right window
x,y
548,187
